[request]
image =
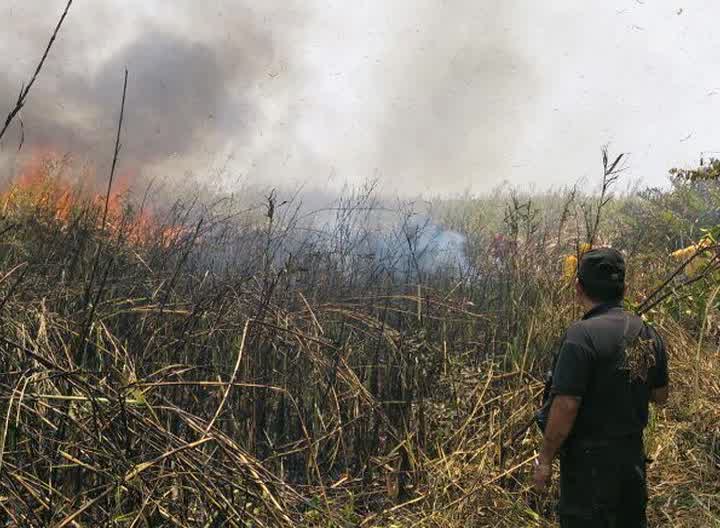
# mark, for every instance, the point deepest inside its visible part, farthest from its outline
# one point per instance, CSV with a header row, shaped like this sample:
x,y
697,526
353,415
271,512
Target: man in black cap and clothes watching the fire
x,y
609,367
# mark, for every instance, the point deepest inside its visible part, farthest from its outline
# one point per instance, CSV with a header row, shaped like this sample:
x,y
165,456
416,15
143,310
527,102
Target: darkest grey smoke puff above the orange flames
x,y
183,91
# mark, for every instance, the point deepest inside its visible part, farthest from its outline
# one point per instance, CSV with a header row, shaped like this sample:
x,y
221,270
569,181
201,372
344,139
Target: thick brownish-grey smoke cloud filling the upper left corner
x,y
186,89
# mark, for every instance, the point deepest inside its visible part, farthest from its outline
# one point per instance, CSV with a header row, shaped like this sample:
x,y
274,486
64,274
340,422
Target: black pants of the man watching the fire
x,y
603,486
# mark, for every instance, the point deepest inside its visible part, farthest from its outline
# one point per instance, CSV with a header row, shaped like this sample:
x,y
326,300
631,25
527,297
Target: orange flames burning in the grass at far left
x,y
44,187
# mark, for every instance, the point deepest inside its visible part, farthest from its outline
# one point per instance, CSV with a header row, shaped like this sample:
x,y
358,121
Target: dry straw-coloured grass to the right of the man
x,y
684,438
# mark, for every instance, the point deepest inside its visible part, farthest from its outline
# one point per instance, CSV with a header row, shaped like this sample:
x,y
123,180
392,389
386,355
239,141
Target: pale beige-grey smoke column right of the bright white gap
x,y
455,97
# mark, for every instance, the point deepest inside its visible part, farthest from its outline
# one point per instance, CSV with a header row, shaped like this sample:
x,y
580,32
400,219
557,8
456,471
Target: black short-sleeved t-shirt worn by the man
x,y
612,360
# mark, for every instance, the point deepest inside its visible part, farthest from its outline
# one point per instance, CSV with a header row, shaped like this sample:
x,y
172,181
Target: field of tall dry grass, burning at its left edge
x,y
222,361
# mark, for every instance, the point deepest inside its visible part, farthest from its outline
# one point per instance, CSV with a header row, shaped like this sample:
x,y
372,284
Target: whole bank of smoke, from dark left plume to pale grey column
x,y
423,94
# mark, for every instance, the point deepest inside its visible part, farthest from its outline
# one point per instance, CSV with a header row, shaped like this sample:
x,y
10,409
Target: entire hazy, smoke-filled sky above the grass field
x,y
426,95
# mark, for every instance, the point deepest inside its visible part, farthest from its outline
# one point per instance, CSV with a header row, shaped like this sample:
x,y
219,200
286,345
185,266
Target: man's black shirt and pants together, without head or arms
x,y
611,361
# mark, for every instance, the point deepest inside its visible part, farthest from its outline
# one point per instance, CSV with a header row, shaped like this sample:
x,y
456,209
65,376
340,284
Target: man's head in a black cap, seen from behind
x,y
601,276
